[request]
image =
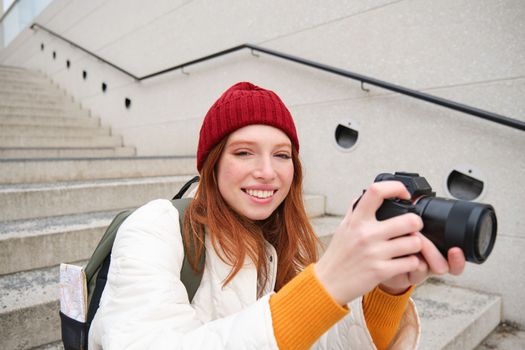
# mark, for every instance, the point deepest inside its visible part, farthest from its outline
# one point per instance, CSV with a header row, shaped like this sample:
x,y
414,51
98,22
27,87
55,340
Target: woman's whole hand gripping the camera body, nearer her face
x,y
364,251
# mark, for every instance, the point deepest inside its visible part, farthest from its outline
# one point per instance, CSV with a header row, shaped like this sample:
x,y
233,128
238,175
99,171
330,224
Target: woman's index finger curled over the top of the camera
x,y
374,196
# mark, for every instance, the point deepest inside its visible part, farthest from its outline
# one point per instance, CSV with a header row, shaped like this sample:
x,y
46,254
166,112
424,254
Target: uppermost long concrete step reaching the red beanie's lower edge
x,y
79,169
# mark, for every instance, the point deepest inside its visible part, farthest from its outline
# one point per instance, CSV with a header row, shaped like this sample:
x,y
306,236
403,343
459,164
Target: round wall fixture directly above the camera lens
x,y
465,182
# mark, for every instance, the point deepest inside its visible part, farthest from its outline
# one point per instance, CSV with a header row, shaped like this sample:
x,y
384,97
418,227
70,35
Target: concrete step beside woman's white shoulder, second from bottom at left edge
x,y
36,243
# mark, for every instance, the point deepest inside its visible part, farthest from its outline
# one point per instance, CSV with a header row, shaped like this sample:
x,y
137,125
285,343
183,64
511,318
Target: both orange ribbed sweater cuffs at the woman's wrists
x,y
303,310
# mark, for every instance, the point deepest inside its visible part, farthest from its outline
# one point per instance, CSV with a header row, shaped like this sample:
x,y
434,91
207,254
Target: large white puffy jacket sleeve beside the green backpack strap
x,y
145,305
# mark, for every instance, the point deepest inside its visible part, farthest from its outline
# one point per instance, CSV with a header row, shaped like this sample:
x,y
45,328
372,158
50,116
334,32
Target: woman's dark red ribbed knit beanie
x,y
241,105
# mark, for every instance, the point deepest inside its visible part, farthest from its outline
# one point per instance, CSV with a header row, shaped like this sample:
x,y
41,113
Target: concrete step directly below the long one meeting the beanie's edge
x,y
27,201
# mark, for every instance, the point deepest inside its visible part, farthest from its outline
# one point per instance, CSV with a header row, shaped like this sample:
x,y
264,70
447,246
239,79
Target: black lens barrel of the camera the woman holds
x,y
451,223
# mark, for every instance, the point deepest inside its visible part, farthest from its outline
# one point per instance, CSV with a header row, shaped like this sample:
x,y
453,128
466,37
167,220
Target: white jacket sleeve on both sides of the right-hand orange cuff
x,y
352,332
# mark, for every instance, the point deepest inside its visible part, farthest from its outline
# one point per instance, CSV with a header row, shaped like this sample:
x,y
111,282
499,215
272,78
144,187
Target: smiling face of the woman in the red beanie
x,y
255,170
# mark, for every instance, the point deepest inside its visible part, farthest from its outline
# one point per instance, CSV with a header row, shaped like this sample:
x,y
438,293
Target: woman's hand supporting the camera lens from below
x,y
431,262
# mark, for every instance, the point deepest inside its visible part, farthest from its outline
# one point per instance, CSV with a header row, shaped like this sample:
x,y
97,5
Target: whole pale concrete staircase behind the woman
x,y
63,177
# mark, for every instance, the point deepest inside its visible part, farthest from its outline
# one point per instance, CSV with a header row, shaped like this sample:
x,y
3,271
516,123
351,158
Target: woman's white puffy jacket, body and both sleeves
x,y
145,305
